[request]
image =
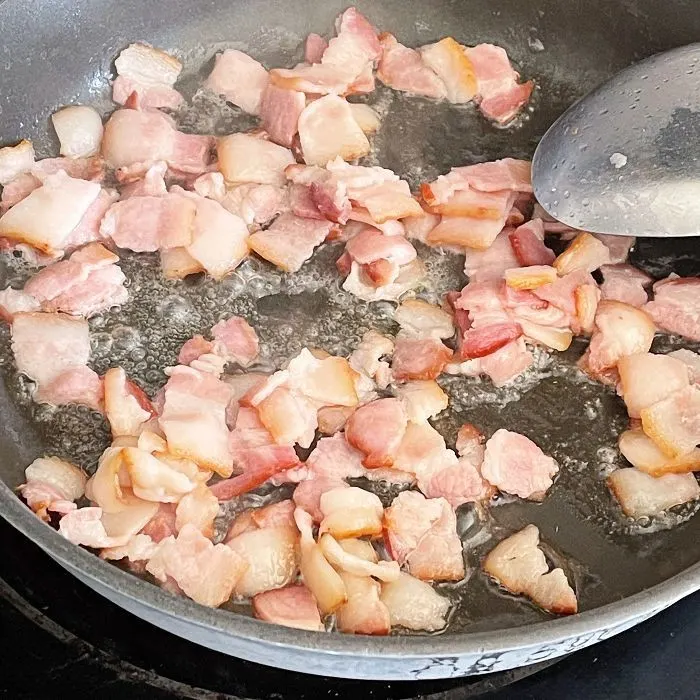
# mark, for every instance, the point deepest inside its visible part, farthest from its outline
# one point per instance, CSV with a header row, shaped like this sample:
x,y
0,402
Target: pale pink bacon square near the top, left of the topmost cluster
x,y
240,79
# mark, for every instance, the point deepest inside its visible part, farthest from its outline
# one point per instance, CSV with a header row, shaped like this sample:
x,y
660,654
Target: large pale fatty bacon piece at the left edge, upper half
x,y
47,216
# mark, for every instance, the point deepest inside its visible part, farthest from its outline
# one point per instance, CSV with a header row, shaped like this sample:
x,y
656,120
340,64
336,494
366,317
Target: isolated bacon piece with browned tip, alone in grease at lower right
x,y
519,565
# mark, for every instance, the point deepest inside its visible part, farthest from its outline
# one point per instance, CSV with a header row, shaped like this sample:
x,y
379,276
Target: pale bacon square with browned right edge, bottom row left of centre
x,y
271,556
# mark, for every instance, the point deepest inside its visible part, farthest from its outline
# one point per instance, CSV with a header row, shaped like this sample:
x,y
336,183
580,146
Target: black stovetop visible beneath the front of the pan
x,y
59,639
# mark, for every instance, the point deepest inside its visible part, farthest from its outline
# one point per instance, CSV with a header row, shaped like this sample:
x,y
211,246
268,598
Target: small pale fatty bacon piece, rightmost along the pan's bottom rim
x,y
414,604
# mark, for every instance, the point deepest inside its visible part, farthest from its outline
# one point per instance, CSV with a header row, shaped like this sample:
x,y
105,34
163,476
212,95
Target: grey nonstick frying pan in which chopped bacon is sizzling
x,y
61,51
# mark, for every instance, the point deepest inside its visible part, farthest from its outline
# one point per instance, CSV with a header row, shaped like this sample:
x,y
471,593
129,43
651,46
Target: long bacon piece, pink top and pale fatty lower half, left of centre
x,y
193,419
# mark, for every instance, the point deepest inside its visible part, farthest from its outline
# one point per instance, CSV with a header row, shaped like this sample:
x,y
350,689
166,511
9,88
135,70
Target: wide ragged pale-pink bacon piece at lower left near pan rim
x,y
205,572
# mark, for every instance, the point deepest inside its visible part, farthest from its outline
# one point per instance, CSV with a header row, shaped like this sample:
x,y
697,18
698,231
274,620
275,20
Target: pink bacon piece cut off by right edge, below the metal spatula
x,y
676,306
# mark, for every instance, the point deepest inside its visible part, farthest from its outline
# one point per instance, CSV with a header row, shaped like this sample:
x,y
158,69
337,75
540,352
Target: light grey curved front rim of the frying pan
x,y
606,617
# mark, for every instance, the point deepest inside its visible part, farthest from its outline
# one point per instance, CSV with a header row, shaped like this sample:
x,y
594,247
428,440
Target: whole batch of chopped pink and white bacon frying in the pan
x,y
332,555
